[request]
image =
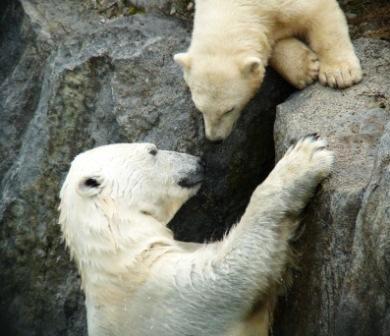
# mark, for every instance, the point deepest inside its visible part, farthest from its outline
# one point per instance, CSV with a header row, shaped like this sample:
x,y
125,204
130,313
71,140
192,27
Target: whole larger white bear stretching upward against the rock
x,y
139,281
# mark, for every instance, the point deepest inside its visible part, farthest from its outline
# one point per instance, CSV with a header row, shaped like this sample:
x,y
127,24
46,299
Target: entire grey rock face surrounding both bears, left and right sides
x,y
74,76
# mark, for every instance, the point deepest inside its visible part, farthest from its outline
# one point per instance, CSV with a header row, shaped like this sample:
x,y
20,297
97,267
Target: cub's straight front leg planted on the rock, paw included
x,y
328,36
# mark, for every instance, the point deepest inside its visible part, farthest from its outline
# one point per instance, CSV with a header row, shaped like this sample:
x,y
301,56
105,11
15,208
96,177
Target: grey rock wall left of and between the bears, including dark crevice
x,y
70,81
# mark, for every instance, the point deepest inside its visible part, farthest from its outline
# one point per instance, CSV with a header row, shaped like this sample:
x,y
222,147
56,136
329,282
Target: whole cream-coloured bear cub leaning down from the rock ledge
x,y
233,41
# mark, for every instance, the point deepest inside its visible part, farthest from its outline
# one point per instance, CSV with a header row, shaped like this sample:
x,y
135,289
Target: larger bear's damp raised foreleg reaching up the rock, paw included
x,y
257,248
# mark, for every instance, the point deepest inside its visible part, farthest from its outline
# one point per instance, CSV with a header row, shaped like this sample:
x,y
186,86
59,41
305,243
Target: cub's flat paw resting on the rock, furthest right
x,y
340,74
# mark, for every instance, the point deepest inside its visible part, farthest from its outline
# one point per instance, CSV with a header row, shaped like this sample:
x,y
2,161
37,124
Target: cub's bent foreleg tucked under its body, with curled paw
x,y
295,62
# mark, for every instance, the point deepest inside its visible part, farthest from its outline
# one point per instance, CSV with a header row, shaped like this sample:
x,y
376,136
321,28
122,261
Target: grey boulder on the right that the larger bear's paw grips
x,y
342,287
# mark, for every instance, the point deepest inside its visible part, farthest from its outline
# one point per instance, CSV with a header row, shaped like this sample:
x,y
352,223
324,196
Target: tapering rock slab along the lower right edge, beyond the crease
x,y
367,284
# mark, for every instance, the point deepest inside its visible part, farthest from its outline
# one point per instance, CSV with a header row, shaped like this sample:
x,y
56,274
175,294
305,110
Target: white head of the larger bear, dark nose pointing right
x,y
114,183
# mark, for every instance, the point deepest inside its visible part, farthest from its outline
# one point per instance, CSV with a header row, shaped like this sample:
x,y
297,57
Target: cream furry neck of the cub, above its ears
x,y
227,28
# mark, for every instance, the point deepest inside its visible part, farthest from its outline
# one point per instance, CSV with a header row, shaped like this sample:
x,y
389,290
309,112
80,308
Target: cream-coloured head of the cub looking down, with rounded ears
x,y
221,88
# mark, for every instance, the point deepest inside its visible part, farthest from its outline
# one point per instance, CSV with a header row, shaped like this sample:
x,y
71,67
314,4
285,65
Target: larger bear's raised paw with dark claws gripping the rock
x,y
310,157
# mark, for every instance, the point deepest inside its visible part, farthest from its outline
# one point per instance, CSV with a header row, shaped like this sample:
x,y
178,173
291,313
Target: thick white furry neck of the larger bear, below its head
x,y
111,253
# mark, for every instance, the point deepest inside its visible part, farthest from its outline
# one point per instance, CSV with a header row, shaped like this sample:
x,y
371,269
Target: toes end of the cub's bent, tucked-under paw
x,y
307,71
